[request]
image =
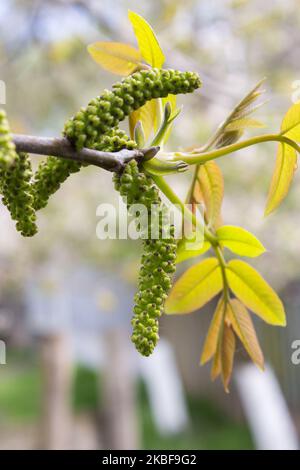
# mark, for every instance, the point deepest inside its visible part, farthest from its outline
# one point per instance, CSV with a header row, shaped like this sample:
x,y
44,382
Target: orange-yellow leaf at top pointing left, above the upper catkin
x,y
117,57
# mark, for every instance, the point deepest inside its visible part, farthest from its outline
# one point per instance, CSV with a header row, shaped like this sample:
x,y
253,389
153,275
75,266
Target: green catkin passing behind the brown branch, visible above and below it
x,y
53,171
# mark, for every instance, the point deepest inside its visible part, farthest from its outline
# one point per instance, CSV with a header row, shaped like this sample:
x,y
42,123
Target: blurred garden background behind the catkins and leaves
x,y
72,378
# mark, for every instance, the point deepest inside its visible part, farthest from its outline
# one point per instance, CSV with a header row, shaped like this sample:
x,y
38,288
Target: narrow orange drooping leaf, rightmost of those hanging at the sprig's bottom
x,y
242,325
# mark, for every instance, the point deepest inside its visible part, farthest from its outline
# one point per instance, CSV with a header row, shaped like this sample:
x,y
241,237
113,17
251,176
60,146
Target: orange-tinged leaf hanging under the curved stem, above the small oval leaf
x,y
208,189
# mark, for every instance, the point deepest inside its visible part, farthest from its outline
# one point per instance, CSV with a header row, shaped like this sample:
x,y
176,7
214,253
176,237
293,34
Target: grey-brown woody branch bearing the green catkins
x,y
62,148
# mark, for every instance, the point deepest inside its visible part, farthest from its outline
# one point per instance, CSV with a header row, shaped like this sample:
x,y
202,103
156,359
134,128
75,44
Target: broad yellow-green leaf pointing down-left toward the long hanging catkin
x,y
195,287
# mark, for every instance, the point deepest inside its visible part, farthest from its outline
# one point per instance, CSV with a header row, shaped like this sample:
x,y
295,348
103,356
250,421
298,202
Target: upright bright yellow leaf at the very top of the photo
x,y
147,41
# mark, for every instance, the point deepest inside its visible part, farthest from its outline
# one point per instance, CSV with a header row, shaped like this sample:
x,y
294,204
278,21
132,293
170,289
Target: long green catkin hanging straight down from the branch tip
x,y
158,259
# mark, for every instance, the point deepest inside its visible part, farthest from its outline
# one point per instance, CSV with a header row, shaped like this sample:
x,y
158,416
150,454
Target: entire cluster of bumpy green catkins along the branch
x,y
96,127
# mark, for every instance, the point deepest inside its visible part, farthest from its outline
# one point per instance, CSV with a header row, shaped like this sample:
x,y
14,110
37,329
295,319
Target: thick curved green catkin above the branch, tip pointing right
x,y
107,110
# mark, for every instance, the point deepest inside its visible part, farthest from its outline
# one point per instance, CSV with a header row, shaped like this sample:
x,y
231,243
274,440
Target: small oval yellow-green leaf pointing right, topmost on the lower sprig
x,y
240,241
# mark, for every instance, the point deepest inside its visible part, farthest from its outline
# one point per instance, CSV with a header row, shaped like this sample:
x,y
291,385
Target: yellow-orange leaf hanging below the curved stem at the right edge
x,y
283,174
